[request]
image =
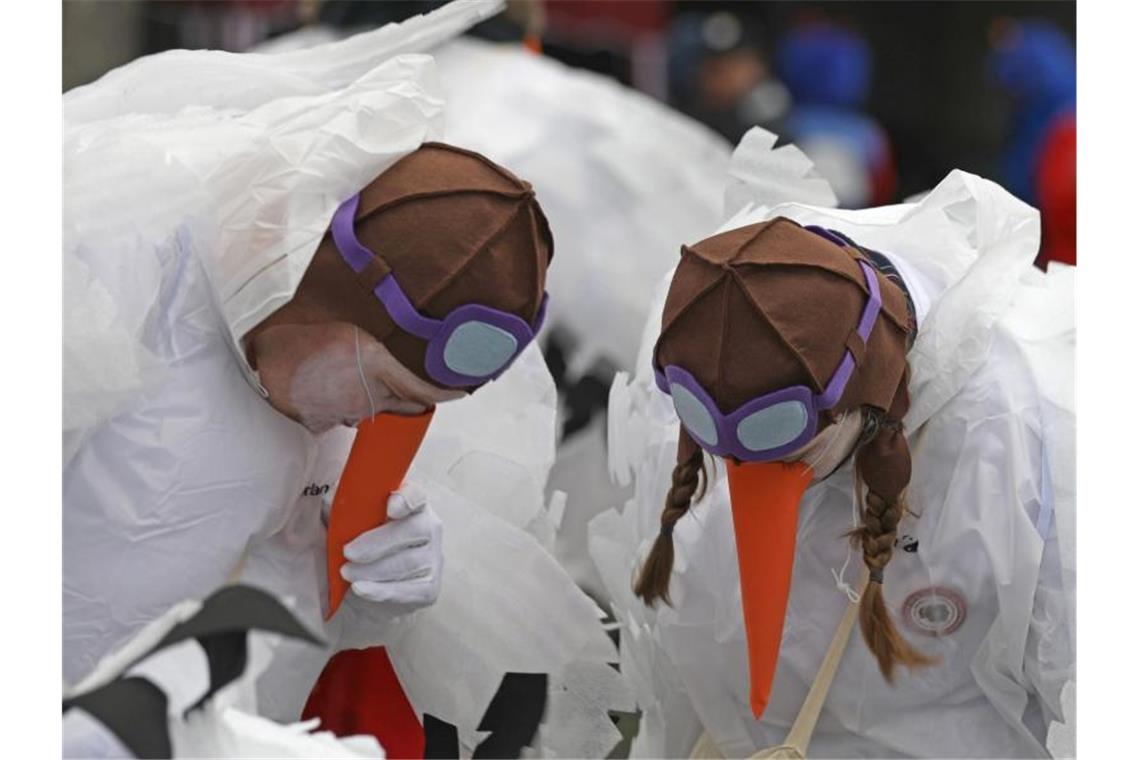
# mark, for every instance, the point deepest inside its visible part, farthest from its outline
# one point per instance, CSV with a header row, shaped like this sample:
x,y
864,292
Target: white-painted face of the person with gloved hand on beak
x,y
336,374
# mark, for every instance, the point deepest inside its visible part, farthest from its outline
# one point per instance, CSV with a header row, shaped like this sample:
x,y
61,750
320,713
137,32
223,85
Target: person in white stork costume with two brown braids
x,y
850,420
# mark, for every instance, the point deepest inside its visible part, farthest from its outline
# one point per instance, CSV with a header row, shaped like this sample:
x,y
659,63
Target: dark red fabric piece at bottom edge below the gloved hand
x,y
360,693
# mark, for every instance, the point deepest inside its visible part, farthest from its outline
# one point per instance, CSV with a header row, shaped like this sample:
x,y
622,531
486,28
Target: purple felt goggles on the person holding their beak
x,y
471,346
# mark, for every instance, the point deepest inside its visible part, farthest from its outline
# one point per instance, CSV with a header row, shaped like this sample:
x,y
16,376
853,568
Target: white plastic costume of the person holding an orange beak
x,y
198,187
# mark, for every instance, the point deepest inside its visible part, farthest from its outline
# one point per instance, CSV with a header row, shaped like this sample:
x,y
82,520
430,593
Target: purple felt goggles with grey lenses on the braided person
x,y
776,424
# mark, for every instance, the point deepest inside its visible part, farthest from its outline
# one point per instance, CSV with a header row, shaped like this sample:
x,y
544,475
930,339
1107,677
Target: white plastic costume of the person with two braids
x,y
984,570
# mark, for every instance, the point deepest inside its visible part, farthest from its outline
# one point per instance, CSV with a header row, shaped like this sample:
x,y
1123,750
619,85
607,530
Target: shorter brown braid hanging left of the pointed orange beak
x,y
690,480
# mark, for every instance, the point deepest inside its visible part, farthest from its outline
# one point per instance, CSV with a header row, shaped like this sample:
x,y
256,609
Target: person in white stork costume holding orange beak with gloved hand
x,y
257,261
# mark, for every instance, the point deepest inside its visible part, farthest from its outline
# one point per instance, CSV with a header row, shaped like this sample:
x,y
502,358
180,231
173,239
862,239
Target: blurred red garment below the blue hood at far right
x,y
1057,193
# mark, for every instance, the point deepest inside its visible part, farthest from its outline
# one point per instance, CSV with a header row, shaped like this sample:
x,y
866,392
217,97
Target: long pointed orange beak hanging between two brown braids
x,y
766,502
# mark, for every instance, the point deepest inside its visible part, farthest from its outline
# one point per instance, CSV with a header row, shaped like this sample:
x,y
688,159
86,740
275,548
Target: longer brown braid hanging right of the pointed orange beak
x,y
883,464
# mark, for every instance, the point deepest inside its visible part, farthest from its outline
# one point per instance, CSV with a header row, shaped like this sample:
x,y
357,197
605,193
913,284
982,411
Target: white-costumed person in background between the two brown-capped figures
x,y
631,177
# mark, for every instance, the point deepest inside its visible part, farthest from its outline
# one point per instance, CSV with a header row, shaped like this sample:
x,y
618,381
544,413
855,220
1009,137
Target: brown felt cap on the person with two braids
x,y
764,307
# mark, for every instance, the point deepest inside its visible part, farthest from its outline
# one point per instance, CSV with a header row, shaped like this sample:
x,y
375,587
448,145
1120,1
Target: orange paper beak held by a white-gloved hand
x,y
381,455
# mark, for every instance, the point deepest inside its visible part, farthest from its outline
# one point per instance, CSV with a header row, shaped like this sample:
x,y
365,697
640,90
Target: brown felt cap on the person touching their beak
x,y
453,228
